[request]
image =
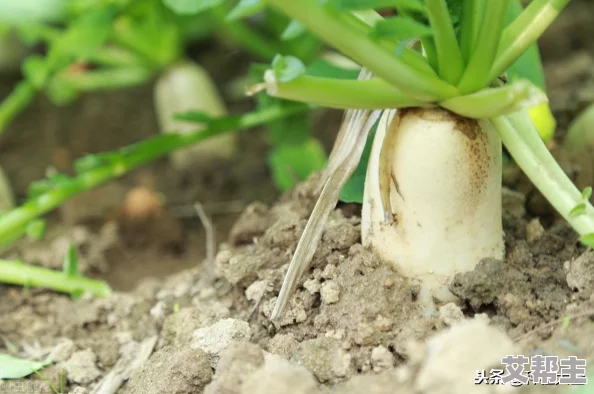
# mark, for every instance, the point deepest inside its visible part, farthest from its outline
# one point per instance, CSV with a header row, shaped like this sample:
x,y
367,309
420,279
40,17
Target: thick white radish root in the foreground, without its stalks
x,y
432,204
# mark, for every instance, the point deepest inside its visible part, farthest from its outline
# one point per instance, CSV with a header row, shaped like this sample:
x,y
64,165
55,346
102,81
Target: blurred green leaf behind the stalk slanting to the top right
x,y
529,65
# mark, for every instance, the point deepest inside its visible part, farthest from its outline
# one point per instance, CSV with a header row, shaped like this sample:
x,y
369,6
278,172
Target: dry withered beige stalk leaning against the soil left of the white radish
x,y
360,123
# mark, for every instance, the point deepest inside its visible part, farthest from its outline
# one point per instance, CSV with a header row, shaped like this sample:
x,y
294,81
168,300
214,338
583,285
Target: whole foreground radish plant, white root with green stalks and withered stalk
x,y
432,199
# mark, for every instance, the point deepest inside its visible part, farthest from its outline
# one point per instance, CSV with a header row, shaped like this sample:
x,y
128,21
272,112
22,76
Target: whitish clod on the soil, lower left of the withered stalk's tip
x,y
215,339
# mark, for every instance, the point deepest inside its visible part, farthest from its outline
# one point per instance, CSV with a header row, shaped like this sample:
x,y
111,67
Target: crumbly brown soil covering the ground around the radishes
x,y
353,326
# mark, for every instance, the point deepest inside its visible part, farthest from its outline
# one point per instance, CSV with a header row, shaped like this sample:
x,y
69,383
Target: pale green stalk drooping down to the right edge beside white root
x,y
522,140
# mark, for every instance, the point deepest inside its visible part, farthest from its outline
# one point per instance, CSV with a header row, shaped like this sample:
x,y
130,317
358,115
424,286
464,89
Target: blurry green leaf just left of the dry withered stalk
x,y
294,163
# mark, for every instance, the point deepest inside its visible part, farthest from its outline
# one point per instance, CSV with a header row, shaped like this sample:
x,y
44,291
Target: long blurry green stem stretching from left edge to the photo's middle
x,y
130,158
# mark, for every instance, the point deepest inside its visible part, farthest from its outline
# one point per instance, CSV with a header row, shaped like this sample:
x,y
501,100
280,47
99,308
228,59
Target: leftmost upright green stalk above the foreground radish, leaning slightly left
x,y
451,64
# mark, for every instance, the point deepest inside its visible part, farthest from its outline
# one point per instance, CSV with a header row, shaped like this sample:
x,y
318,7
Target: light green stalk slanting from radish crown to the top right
x,y
524,31
